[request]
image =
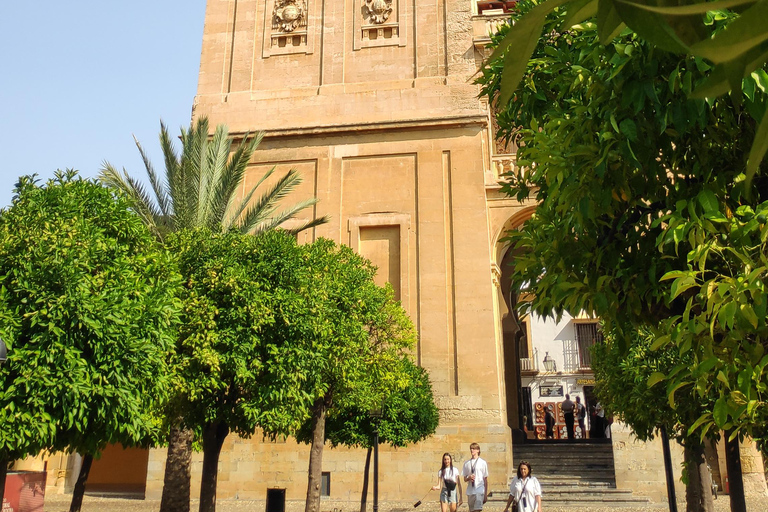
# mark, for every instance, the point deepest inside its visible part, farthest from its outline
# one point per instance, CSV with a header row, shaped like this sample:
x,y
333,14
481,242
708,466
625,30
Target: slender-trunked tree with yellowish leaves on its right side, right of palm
x,y
351,334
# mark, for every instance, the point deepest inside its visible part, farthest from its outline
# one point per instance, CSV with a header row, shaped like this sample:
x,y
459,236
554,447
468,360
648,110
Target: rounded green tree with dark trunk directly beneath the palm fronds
x,y
229,350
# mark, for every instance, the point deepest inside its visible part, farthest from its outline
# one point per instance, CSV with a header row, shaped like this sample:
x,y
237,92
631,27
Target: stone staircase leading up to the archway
x,y
574,474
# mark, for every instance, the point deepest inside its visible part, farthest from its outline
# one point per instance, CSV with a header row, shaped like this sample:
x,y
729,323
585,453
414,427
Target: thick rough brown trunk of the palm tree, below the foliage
x,y
178,462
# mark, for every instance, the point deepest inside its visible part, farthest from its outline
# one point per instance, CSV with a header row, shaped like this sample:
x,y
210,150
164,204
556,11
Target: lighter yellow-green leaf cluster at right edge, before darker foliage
x,y
723,324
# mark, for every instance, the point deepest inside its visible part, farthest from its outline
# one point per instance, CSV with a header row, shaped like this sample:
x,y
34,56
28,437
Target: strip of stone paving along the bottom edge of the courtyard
x,y
60,503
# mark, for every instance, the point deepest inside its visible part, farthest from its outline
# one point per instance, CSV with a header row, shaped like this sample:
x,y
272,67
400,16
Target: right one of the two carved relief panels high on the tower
x,y
380,23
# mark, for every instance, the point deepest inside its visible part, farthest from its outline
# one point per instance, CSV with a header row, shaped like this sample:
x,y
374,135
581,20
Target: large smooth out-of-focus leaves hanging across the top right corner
x,y
734,53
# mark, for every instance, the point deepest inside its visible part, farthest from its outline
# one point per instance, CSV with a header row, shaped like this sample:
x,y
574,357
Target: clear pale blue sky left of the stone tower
x,y
78,78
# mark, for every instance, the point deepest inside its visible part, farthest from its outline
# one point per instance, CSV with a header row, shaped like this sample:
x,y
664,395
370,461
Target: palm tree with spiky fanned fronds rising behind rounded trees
x,y
200,189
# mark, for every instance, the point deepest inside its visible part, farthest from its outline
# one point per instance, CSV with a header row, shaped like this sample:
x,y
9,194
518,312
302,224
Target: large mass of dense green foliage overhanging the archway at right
x,y
643,203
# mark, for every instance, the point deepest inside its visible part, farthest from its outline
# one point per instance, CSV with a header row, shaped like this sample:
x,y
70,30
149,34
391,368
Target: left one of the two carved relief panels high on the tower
x,y
288,27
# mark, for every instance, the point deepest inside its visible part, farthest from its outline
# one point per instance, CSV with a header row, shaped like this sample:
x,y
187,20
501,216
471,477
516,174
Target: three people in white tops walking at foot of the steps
x,y
524,490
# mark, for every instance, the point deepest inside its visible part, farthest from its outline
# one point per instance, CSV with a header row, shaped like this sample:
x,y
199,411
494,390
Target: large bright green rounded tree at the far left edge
x,y
87,307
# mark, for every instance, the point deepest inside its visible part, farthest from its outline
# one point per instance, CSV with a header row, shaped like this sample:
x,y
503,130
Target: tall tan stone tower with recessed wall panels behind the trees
x,y
372,102
